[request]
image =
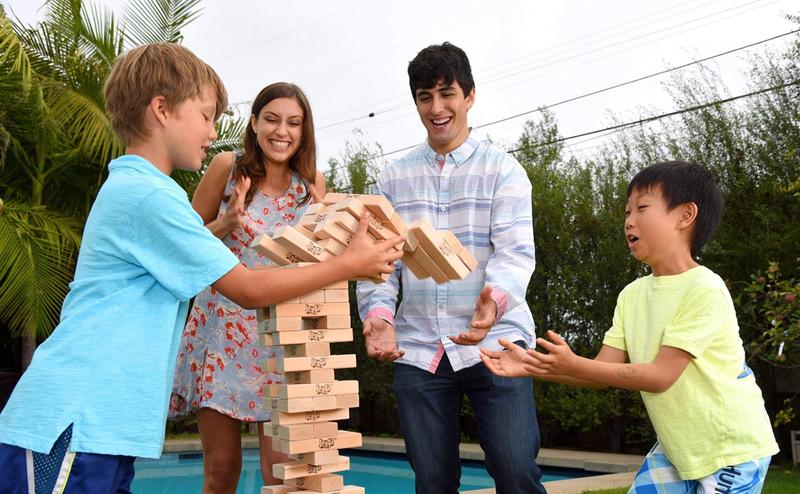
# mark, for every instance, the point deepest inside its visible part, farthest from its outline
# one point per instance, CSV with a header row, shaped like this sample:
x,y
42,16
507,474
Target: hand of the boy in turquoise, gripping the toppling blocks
x,y
366,258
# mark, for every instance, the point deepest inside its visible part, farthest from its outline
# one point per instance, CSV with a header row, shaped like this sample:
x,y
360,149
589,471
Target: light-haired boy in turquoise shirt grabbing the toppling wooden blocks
x,y
95,395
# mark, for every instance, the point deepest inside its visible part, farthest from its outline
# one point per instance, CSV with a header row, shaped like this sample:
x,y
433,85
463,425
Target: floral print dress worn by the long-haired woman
x,y
221,364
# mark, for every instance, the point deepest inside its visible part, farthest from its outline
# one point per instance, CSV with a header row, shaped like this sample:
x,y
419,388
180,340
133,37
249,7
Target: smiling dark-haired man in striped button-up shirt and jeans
x,y
484,196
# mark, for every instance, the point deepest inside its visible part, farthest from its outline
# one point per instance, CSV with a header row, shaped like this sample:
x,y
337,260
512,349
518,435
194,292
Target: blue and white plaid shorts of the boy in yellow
x,y
658,476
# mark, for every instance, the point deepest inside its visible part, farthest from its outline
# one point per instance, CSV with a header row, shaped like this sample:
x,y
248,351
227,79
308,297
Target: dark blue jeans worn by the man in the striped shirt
x,y
429,405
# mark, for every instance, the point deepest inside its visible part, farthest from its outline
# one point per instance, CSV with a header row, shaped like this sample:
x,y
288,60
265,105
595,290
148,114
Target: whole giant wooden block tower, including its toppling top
x,y
305,409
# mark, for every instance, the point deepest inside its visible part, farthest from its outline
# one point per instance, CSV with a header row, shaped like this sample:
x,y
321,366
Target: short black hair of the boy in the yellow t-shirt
x,y
682,182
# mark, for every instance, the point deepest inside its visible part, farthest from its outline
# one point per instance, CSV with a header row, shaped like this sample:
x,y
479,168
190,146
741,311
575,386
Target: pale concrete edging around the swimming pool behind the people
x,y
618,469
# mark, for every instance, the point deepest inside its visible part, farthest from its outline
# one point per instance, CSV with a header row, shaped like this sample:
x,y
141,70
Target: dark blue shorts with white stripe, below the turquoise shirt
x,y
23,471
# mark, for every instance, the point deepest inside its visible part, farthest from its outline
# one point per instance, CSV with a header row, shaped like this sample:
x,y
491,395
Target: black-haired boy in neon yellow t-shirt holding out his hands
x,y
677,328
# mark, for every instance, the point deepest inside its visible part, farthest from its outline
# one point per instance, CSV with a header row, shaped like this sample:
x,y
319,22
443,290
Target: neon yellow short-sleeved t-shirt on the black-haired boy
x,y
713,416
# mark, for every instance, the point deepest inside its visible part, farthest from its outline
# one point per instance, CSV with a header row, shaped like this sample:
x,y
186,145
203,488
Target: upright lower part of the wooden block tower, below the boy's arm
x,y
305,409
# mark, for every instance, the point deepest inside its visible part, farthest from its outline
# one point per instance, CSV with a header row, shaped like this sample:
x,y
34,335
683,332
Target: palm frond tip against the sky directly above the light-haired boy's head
x,y
151,21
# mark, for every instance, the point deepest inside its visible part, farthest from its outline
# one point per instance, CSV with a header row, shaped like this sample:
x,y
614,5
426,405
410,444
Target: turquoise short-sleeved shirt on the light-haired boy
x,y
108,366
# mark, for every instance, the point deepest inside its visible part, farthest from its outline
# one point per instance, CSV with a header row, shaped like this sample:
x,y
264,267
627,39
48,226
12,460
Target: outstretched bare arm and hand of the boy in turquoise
x,y
262,287
